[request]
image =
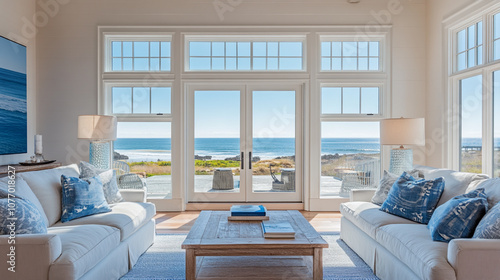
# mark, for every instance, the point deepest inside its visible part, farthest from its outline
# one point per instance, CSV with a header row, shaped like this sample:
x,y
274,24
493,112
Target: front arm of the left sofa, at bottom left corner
x,y
32,255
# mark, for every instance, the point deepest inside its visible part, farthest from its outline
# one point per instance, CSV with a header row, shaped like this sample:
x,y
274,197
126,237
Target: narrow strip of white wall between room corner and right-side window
x,y
436,121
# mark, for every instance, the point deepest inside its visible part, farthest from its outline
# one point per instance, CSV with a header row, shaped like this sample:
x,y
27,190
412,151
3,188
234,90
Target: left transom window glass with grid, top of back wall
x,y
145,56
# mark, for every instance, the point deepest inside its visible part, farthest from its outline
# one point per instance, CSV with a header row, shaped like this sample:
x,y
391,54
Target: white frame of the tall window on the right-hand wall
x,y
470,15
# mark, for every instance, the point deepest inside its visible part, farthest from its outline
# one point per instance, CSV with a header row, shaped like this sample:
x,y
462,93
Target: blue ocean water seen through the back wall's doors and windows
x,y
140,149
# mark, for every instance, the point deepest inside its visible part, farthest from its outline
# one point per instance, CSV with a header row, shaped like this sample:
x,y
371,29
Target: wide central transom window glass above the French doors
x,y
233,55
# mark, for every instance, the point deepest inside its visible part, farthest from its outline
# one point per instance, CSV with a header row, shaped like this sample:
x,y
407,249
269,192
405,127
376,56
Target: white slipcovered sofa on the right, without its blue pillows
x,y
396,248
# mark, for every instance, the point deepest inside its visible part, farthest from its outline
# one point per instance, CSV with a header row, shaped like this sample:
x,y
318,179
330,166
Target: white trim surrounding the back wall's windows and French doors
x,y
311,76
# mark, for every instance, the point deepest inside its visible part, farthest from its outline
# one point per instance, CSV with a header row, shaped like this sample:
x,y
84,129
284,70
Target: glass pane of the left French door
x,y
217,141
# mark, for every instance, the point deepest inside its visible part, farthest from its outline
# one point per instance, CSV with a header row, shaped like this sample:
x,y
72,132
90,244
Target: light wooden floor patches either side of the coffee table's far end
x,y
181,222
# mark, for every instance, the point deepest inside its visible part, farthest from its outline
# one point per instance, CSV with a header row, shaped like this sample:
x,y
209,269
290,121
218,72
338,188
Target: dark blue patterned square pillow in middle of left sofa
x,y
82,198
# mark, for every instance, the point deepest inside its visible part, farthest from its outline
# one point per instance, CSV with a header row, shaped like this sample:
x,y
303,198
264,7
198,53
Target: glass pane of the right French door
x,y
273,159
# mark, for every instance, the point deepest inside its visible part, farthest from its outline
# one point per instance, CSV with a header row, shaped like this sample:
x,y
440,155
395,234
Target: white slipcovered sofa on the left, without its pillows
x,y
102,246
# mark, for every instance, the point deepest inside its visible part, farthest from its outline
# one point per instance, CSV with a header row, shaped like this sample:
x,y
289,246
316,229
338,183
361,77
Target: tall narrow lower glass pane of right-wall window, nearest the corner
x,y
471,124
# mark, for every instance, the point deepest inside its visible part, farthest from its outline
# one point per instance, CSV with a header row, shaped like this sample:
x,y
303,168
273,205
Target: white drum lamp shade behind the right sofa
x,y
402,131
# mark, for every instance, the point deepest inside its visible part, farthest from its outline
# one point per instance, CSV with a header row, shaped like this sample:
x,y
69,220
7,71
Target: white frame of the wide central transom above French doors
x,y
215,37
